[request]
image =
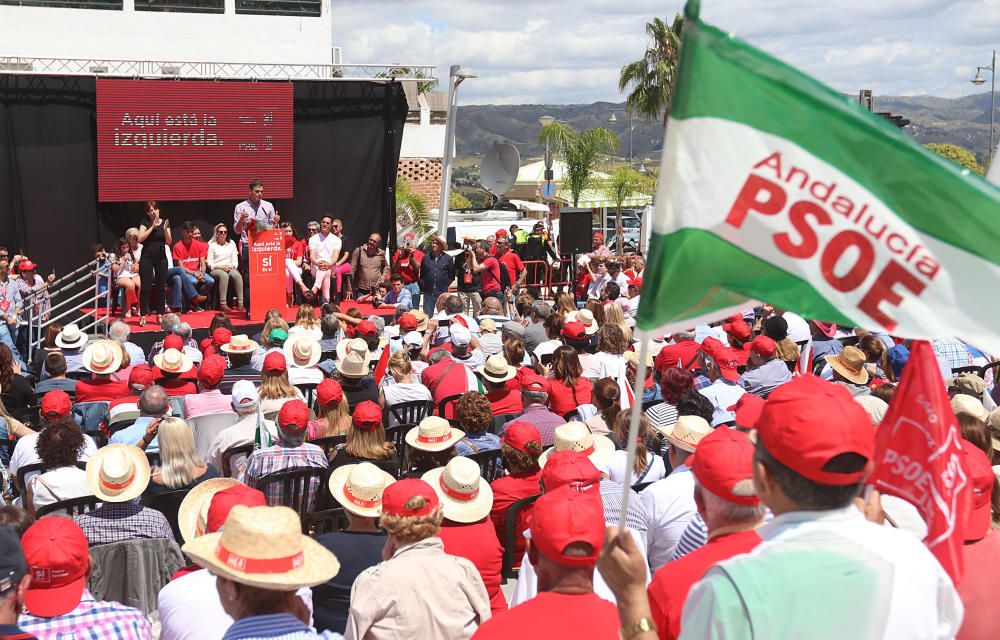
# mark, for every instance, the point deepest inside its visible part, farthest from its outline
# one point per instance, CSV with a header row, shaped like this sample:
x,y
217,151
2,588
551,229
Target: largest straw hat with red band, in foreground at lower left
x,y
287,562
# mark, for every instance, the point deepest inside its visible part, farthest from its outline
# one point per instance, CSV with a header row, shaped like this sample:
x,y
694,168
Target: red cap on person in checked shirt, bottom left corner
x,y
58,560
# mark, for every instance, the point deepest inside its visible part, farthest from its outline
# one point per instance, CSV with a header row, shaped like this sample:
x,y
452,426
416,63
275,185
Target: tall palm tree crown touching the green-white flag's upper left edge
x,y
650,81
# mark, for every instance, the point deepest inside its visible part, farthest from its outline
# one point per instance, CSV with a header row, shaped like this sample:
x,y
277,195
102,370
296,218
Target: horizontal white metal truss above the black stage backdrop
x,y
18,65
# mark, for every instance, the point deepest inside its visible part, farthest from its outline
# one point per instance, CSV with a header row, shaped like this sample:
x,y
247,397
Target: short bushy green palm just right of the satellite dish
x,y
581,152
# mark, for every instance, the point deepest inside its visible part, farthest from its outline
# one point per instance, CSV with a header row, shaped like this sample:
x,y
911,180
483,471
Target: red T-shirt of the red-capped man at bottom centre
x,y
554,616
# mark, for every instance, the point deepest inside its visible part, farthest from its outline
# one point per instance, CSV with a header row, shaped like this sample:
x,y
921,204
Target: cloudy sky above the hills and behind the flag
x,y
566,52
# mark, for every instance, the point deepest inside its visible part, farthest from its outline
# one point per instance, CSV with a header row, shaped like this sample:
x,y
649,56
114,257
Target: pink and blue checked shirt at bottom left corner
x,y
90,620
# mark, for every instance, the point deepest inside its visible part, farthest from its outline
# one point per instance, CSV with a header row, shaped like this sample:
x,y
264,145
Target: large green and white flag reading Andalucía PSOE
x,y
775,187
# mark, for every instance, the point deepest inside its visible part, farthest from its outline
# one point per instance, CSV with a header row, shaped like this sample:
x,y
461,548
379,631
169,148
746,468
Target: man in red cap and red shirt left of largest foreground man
x,y
726,501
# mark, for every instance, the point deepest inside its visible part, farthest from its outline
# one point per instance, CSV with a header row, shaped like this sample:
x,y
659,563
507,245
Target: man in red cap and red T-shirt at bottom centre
x,y
567,533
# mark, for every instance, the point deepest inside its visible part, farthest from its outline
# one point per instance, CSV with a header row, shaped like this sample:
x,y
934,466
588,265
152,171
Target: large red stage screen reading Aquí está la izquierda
x,y
192,140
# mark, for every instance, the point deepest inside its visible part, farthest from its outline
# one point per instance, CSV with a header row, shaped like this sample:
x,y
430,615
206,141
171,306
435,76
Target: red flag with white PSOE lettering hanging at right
x,y
918,457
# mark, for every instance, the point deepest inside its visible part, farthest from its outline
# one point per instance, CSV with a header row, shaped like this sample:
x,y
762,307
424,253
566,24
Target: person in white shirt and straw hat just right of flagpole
x,y
670,502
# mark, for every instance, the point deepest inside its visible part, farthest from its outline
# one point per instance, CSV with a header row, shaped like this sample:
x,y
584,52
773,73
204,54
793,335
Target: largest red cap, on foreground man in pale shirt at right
x,y
807,422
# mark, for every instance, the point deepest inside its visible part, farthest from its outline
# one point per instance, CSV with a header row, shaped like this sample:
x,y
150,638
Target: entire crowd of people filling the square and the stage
x,y
384,476
